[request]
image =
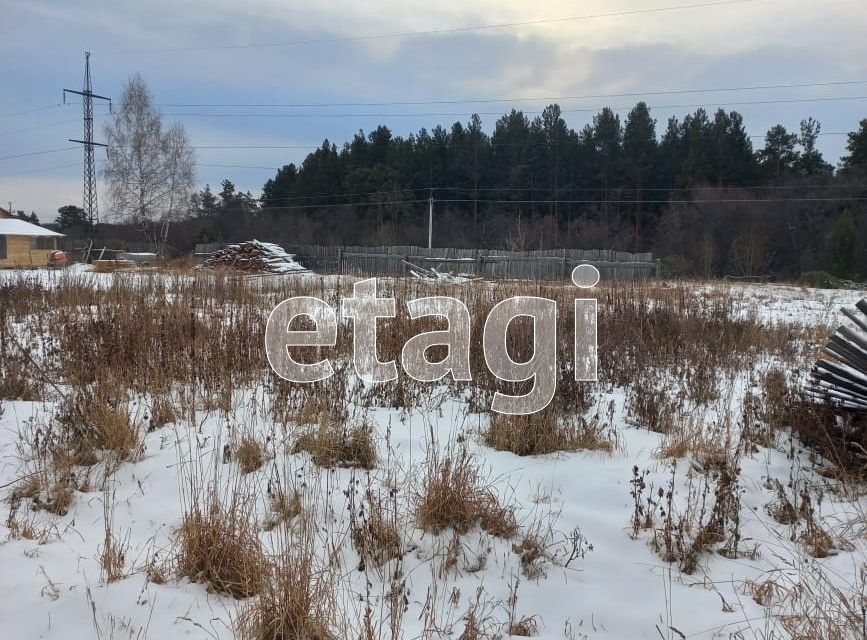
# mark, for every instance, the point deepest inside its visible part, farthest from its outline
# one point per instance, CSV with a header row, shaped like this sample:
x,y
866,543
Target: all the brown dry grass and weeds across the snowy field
x,y
199,344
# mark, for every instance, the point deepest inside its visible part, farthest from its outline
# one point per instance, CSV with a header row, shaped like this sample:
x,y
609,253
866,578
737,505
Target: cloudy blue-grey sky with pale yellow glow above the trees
x,y
199,53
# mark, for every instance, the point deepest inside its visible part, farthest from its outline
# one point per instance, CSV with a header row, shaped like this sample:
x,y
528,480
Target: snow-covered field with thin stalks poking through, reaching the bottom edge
x,y
595,570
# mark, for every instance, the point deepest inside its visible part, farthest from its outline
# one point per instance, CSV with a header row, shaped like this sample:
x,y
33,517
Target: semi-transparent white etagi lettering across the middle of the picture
x,y
365,308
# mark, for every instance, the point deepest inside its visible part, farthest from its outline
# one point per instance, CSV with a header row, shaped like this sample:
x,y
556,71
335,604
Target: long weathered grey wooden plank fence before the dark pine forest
x,y
553,264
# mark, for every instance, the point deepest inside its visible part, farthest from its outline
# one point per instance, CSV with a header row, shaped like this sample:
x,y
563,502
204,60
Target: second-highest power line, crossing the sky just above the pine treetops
x,y
655,92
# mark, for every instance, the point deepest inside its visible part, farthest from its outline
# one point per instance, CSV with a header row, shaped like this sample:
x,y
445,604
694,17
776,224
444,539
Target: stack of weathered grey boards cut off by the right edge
x,y
843,381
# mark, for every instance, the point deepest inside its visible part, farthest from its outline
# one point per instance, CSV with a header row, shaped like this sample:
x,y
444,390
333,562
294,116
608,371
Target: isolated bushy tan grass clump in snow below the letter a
x,y
453,495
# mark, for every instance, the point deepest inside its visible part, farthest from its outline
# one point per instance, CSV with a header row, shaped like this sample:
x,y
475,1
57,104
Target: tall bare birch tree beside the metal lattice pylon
x,y
150,171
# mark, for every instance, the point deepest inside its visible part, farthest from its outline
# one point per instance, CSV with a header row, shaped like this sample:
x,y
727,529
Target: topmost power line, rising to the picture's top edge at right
x,y
443,31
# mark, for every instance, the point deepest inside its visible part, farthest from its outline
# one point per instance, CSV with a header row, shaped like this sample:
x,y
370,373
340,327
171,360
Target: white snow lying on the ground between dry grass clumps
x,y
622,588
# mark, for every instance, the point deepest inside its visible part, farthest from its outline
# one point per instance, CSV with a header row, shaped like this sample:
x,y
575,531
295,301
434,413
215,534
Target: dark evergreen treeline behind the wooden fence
x,y
700,195
